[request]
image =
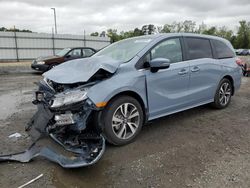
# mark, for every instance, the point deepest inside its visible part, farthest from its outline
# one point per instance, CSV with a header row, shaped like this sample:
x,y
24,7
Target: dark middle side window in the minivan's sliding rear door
x,y
198,48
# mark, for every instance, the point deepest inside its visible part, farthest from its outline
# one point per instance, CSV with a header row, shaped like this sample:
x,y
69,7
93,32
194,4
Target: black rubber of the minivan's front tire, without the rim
x,y
107,119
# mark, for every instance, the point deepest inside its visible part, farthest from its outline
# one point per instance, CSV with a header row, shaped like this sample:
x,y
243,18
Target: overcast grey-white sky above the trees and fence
x,y
73,16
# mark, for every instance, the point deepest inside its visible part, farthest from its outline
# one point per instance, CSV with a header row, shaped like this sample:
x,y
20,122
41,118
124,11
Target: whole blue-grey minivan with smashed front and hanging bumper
x,y
110,95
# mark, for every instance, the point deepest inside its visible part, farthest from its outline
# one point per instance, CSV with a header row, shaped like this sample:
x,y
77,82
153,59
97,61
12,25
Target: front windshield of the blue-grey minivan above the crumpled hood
x,y
124,50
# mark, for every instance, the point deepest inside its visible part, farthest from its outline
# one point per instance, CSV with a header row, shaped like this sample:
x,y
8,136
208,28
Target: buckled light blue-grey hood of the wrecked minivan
x,y
81,70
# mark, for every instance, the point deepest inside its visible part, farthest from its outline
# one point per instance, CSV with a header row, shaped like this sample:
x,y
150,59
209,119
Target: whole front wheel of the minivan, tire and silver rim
x,y
122,120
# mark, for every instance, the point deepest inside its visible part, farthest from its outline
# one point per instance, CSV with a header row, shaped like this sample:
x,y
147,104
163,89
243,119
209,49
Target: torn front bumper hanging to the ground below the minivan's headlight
x,y
85,145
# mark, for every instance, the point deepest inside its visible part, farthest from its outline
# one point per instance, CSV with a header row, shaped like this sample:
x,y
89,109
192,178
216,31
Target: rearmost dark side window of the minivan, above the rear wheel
x,y
222,50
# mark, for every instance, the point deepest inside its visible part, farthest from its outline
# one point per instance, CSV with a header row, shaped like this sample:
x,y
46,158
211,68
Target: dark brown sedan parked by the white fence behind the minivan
x,y
46,63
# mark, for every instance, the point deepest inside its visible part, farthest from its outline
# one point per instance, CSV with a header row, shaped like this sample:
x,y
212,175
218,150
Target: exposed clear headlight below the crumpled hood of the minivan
x,y
69,97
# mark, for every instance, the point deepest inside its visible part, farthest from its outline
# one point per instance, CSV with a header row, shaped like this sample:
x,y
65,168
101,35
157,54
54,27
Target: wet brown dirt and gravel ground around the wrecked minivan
x,y
201,147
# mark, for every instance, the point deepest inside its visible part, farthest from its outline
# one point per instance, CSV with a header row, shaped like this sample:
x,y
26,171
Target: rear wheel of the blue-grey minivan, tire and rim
x,y
223,94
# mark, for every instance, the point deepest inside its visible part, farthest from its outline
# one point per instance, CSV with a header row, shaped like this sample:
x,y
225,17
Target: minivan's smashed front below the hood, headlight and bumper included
x,y
65,114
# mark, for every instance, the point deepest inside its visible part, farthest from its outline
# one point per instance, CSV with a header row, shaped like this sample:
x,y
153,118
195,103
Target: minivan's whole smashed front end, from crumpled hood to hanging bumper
x,y
67,115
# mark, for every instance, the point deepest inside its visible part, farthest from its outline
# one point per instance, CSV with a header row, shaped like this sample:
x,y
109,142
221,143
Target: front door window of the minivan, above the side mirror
x,y
169,49
